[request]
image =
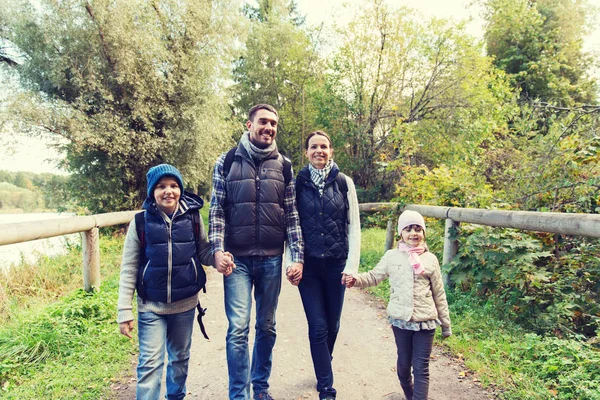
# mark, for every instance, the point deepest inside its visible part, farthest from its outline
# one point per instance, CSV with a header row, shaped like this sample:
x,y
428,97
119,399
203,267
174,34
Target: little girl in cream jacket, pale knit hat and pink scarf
x,y
417,301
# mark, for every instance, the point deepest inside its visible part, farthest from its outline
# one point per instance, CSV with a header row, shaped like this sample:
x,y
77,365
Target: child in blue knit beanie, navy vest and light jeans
x,y
167,274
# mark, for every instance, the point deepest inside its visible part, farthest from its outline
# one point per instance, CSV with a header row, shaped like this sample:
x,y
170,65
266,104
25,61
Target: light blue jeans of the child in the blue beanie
x,y
157,332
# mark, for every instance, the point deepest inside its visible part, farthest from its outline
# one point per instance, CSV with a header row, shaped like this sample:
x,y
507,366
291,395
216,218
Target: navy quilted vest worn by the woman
x,y
324,220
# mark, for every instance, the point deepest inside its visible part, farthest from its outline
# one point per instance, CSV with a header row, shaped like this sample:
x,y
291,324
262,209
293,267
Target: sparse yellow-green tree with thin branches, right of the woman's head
x,y
398,84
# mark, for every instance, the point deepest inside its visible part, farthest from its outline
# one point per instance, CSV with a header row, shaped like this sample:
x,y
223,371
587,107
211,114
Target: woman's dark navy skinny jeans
x,y
322,296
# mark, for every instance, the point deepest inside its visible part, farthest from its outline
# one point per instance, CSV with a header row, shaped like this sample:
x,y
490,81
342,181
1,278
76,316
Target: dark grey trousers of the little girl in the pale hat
x,y
414,349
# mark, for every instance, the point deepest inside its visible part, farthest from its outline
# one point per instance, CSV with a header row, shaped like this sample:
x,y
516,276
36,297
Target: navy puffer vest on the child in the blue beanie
x,y
169,270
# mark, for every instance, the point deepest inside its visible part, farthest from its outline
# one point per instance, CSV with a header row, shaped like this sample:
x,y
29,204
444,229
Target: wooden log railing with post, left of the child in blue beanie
x,y
86,225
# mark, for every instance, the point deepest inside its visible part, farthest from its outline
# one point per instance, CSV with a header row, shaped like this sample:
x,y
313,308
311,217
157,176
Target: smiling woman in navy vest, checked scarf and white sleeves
x,y
330,222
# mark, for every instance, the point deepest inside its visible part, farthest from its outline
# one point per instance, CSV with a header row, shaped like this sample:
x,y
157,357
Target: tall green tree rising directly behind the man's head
x,y
279,67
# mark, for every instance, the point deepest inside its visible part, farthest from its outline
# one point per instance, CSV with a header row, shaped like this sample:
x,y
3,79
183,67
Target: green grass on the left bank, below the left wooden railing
x,y
71,347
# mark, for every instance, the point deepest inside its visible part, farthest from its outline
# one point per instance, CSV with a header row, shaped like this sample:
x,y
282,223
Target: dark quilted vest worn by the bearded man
x,y
254,213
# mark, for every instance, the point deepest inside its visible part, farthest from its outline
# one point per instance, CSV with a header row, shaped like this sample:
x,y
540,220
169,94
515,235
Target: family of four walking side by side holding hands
x,y
263,223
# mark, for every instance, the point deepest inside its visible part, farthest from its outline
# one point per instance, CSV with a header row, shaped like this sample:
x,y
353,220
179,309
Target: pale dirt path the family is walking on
x,y
362,371
